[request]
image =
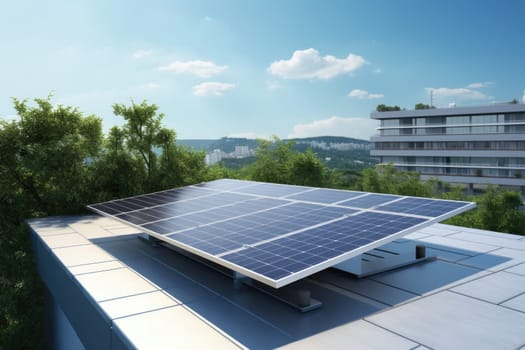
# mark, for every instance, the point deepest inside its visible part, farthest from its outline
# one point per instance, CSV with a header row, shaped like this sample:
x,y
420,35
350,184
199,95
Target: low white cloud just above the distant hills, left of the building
x,y
359,128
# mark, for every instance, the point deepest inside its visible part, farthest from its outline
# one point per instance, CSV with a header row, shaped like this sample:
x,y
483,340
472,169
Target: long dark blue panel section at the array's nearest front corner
x,y
285,256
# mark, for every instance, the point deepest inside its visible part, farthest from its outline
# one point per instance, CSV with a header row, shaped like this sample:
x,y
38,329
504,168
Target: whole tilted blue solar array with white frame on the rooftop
x,y
276,234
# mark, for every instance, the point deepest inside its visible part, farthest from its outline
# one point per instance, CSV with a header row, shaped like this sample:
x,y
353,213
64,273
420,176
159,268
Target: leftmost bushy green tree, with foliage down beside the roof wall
x,y
44,157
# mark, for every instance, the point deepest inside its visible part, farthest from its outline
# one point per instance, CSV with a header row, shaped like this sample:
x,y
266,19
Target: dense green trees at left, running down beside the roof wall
x,y
53,161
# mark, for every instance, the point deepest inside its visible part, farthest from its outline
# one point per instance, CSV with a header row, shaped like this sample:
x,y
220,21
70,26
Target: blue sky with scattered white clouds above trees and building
x,y
261,68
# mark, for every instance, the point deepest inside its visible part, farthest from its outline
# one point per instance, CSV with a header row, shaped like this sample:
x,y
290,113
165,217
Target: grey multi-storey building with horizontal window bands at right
x,y
467,145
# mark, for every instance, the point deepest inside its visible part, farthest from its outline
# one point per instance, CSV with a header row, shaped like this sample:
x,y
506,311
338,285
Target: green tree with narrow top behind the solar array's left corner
x,y
143,156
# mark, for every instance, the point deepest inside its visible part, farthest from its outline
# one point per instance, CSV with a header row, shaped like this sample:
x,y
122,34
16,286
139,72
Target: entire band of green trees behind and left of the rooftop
x,y
54,160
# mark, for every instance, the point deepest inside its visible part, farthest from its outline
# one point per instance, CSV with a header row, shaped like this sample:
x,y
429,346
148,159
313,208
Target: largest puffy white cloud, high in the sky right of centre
x,y
308,64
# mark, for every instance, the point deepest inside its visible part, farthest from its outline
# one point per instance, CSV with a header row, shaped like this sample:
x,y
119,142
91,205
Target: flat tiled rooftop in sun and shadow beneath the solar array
x,y
119,291
